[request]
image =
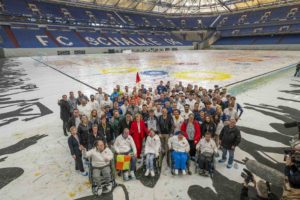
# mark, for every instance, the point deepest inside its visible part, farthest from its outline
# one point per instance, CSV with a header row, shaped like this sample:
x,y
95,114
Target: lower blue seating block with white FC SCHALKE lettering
x,y
34,37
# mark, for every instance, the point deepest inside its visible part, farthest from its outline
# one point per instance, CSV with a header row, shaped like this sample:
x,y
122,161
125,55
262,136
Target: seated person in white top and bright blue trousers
x,y
179,147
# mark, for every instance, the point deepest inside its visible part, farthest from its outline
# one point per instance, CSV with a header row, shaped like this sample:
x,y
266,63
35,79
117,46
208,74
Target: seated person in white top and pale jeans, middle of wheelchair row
x,y
152,148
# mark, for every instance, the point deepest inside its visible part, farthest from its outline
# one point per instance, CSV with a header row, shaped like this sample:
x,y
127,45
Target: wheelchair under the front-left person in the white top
x,y
104,186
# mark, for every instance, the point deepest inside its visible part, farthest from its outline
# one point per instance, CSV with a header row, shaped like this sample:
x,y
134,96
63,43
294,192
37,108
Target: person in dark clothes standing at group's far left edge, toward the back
x,y
64,112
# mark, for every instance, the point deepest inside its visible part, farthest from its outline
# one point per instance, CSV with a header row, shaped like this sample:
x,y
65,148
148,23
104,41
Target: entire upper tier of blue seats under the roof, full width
x,y
59,11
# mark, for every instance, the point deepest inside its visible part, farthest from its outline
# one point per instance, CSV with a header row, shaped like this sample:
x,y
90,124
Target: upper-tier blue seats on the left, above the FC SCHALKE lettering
x,y
67,14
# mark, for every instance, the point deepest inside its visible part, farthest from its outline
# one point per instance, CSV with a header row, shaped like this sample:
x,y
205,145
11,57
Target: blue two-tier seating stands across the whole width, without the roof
x,y
73,26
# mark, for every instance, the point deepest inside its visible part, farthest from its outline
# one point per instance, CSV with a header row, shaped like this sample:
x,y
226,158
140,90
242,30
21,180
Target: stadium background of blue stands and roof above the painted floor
x,y
121,24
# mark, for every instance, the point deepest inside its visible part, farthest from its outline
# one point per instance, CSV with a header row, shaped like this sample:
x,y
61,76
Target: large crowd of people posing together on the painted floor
x,y
177,121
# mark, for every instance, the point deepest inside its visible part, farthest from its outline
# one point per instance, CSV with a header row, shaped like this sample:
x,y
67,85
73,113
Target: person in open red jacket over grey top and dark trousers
x,y
192,132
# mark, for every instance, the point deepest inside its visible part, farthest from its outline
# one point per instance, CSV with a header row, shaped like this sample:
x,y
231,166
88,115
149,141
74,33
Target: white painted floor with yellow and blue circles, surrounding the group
x,y
35,162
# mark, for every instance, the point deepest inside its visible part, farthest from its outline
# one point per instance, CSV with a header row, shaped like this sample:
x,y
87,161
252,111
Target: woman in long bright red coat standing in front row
x,y
138,131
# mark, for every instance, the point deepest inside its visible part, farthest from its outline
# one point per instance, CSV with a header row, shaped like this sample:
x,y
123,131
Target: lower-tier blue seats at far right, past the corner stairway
x,y
260,40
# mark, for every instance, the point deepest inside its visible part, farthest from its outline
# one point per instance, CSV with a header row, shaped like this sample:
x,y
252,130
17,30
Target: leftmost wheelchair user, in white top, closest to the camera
x,y
100,157
